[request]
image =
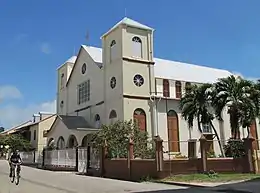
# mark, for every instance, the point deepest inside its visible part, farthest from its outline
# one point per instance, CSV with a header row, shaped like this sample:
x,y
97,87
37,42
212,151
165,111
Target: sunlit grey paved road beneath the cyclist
x,y
35,180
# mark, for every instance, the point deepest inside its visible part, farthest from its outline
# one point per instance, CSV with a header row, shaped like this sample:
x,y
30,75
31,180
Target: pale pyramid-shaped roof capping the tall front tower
x,y
129,22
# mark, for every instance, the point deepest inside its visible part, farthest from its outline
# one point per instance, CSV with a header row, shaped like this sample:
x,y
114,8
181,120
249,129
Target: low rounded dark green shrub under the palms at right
x,y
234,148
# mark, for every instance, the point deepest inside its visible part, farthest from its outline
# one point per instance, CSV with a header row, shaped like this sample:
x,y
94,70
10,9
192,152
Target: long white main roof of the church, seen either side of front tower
x,y
175,70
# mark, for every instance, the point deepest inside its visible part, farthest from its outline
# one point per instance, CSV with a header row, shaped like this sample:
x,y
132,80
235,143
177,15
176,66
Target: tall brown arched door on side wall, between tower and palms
x,y
173,131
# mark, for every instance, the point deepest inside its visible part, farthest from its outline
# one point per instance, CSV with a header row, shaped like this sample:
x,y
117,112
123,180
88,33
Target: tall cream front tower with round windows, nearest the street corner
x,y
128,71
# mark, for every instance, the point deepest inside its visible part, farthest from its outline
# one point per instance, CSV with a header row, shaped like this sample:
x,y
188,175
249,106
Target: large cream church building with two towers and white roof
x,y
122,81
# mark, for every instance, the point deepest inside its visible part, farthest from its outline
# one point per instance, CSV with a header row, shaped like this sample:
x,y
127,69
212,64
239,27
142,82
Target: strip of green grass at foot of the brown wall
x,y
213,177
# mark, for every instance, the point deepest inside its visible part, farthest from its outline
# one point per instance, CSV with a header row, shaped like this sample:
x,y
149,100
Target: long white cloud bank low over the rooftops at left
x,y
11,115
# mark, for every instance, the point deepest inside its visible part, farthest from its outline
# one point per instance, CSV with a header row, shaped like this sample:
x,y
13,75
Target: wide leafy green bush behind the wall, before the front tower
x,y
116,137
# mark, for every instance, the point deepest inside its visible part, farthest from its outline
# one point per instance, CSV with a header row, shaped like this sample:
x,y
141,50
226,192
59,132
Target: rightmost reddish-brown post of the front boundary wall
x,y
248,144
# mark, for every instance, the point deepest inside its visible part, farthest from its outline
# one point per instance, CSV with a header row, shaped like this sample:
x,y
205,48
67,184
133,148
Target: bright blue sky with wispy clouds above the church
x,y
37,36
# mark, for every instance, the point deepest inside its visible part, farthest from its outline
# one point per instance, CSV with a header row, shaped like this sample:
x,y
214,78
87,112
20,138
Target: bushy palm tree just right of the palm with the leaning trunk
x,y
233,92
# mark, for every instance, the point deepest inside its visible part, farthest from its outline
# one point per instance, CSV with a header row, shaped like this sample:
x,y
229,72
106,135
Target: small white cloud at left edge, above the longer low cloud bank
x,y
9,92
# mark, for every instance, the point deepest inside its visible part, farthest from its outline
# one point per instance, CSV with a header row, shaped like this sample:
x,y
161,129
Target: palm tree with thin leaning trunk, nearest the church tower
x,y
196,104
